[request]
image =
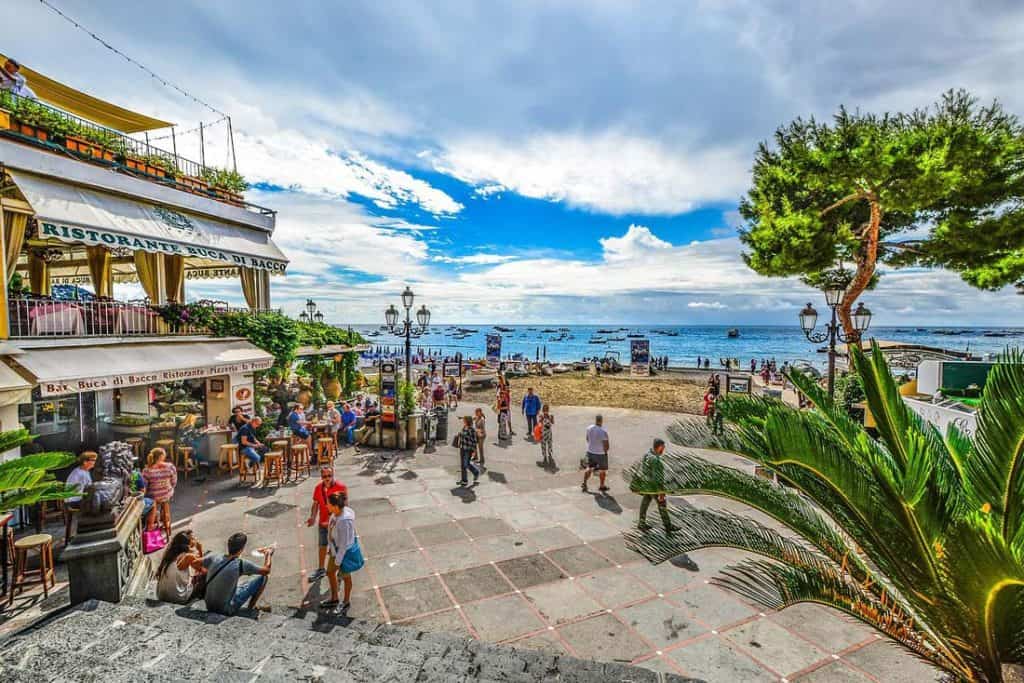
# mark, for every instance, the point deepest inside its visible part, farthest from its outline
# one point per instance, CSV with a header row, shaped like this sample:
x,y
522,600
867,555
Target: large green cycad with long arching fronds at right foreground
x,y
918,534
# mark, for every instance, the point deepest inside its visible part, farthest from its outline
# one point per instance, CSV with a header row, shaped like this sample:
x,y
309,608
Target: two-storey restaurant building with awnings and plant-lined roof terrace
x,y
87,206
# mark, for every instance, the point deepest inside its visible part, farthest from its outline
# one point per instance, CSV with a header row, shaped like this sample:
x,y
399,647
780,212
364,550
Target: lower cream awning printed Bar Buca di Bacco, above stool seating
x,y
73,369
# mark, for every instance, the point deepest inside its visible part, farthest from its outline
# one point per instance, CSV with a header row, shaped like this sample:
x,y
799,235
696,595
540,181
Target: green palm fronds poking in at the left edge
x,y
28,480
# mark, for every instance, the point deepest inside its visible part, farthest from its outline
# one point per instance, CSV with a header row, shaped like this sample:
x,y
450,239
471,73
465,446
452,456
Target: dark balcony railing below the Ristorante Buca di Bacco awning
x,y
45,318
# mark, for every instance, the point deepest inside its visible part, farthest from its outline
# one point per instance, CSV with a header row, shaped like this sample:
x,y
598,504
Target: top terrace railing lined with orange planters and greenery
x,y
35,123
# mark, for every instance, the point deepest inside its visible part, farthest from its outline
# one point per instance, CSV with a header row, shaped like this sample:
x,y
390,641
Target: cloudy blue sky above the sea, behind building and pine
x,y
527,161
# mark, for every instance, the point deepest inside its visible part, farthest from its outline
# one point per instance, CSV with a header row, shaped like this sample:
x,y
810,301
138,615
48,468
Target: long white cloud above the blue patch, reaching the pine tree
x,y
613,173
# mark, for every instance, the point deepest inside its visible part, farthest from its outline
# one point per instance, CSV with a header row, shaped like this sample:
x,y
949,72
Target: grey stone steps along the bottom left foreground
x,y
144,641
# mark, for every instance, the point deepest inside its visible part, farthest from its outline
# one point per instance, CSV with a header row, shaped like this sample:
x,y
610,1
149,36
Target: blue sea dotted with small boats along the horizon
x,y
567,344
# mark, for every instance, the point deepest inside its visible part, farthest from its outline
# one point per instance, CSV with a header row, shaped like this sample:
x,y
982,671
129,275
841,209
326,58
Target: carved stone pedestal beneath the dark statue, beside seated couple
x,y
107,564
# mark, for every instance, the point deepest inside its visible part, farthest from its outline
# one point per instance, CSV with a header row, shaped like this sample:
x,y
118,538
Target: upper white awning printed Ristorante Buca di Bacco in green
x,y
79,216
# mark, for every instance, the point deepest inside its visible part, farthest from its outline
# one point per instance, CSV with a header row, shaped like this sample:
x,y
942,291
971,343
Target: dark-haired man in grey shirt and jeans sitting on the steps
x,y
225,593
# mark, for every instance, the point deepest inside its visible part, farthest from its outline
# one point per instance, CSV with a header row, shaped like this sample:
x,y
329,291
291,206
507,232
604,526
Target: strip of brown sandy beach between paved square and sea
x,y
669,394
